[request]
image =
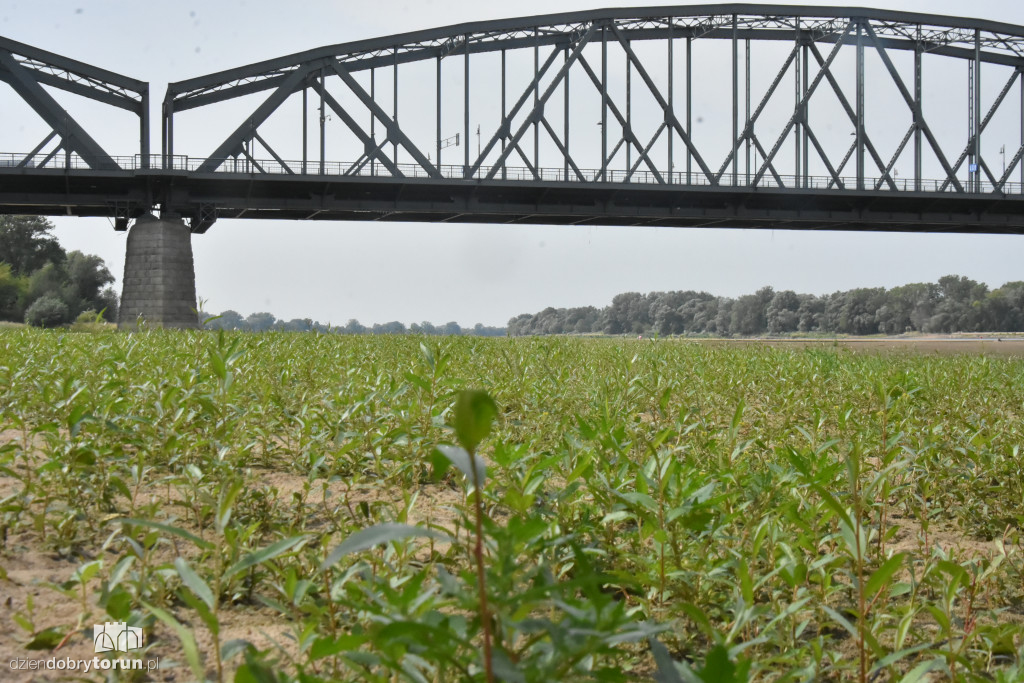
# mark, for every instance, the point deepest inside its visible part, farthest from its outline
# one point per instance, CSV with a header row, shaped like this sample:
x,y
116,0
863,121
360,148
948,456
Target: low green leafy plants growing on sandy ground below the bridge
x,y
323,507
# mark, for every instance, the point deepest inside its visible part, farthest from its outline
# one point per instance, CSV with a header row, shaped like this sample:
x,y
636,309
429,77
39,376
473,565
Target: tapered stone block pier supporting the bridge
x,y
160,276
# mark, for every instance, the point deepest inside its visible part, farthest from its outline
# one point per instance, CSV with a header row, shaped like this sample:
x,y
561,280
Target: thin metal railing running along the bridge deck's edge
x,y
259,167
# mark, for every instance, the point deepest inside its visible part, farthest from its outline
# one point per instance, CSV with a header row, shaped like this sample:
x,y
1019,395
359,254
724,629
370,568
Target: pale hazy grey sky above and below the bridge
x,y
488,274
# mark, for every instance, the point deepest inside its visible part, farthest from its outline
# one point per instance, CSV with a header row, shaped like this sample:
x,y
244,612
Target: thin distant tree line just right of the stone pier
x,y
264,322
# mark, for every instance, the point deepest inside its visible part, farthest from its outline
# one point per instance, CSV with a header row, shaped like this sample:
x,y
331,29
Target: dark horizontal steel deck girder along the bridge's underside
x,y
285,197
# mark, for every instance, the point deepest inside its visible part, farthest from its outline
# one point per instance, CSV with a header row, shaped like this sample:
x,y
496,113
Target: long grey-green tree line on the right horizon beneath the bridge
x,y
954,305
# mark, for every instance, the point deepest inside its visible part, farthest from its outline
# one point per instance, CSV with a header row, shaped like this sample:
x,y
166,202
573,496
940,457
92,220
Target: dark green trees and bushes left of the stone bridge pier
x,y
44,285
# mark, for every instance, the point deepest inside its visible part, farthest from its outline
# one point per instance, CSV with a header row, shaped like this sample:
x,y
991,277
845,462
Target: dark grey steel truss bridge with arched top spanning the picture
x,y
727,115
